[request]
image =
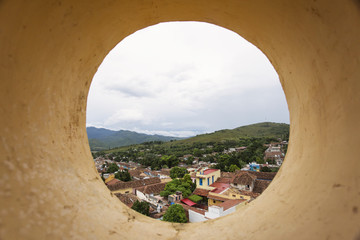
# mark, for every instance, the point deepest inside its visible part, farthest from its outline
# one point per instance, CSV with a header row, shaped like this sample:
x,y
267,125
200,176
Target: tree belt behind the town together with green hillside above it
x,y
157,154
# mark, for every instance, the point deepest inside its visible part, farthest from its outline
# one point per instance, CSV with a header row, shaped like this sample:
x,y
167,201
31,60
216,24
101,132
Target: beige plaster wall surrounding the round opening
x,y
50,50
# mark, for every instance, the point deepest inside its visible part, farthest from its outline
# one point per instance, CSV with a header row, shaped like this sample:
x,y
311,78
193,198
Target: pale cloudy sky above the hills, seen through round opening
x,y
183,79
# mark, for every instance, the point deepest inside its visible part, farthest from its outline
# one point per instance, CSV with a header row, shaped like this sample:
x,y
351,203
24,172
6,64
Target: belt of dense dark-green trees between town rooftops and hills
x,y
149,155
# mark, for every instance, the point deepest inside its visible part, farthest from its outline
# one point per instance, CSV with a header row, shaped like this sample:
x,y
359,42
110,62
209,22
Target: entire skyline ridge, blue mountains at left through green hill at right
x,y
103,139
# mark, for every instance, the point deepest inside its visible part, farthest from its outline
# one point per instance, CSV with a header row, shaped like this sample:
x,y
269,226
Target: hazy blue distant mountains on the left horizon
x,y
104,139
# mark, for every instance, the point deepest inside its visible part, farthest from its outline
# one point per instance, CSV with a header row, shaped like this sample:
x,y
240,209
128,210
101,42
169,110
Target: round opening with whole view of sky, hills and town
x,y
187,121
